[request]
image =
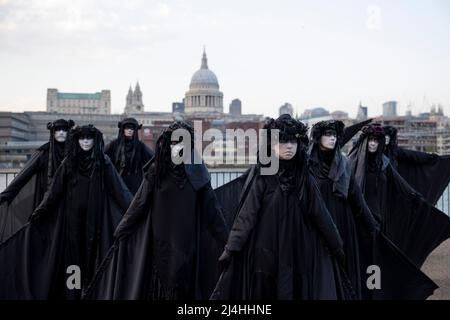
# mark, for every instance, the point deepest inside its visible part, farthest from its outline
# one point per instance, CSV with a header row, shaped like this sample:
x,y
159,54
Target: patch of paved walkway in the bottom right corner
x,y
437,267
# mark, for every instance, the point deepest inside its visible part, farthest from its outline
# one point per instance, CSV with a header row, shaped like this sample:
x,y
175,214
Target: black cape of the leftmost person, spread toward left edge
x,y
24,193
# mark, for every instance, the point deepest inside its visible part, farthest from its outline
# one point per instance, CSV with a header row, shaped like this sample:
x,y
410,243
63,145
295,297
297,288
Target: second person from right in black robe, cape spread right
x,y
413,224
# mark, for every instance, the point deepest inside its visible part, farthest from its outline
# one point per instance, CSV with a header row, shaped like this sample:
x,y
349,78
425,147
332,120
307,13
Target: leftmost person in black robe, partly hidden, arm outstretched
x,y
26,191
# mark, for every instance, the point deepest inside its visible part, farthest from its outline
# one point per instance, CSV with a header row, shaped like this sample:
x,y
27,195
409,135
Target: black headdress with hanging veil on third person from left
x,y
125,145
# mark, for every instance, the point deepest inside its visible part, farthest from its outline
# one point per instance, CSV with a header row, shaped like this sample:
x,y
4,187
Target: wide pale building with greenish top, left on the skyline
x,y
79,103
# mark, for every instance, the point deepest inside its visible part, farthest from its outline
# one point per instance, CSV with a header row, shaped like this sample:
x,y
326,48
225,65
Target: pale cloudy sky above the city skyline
x,y
329,54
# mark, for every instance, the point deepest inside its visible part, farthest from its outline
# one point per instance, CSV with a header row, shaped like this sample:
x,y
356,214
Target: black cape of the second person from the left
x,y
33,261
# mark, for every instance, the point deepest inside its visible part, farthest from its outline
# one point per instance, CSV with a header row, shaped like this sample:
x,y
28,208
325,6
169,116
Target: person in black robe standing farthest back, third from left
x,y
129,154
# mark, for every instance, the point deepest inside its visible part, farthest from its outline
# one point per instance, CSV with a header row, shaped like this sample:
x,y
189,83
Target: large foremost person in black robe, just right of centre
x,y
283,243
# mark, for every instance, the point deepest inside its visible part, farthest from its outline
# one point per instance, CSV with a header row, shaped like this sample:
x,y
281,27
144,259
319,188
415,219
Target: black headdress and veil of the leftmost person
x,y
57,150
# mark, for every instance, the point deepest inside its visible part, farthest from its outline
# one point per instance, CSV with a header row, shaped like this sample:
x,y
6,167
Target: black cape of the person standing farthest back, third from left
x,y
129,160
